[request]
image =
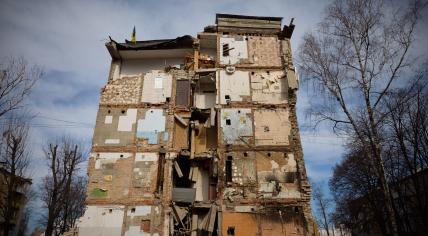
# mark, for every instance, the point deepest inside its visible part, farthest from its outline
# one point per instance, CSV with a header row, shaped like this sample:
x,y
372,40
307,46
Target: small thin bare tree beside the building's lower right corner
x,y
323,208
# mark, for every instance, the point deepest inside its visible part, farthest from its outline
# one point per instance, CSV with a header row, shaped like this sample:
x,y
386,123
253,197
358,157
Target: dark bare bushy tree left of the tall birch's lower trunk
x,y
354,186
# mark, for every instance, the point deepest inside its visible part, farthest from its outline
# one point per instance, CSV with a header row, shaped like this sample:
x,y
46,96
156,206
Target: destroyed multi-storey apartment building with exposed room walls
x,y
199,136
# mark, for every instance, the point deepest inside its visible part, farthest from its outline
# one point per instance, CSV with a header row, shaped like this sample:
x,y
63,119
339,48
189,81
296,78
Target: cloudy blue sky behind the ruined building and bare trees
x,y
67,39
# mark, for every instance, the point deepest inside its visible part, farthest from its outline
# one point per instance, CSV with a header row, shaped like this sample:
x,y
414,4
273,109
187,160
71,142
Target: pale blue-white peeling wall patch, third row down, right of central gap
x,y
237,126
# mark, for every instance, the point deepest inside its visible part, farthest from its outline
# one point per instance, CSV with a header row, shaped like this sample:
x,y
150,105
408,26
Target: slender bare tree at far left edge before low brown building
x,y
14,172
